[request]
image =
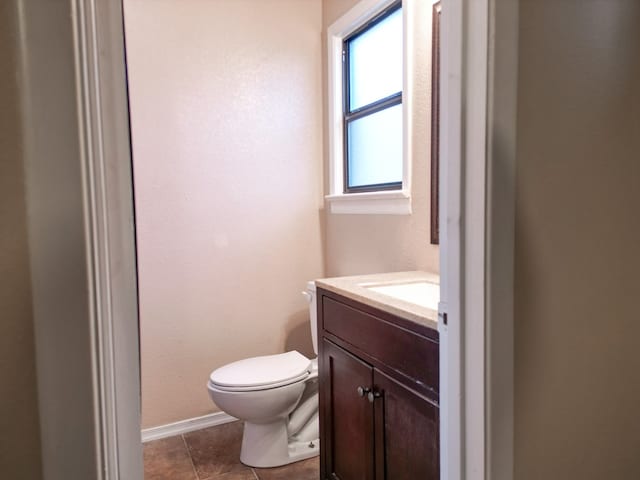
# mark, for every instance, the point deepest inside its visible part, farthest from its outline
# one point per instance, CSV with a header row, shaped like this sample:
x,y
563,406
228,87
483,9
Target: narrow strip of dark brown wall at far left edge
x,y
20,435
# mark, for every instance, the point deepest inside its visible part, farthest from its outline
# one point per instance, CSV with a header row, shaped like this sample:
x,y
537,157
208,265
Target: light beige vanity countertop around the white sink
x,y
355,288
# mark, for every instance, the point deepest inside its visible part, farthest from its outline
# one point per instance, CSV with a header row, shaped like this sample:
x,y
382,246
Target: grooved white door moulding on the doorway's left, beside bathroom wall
x,y
106,153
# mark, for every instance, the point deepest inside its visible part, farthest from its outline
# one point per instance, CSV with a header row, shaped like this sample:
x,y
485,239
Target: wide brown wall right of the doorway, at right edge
x,y
577,332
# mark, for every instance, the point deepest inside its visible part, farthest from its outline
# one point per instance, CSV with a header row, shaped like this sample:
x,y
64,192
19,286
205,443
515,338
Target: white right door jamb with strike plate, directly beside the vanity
x,y
451,217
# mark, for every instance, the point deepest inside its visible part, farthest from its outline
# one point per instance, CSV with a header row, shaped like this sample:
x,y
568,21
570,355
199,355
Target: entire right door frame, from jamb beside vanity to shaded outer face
x,y
478,118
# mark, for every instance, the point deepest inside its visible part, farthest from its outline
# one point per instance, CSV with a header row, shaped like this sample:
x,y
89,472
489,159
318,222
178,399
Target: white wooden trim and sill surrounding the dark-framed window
x,y
392,202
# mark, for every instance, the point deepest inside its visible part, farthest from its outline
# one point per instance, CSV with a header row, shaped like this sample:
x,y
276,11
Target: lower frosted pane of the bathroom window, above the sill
x,y
375,148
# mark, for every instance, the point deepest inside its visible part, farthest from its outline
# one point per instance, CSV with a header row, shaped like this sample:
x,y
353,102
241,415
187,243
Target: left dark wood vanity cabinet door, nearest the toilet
x,y
349,453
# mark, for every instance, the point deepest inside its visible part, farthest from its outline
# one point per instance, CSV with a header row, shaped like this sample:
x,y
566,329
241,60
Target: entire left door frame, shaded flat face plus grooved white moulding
x,y
75,118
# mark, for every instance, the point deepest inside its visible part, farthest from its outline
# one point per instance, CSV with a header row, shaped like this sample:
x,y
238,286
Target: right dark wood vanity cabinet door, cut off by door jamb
x,y
407,432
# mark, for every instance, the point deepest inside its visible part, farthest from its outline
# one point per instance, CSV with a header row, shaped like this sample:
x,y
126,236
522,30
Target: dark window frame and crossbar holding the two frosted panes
x,y
365,110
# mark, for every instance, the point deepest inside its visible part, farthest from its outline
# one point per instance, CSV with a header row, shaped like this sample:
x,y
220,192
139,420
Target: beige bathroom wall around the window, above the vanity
x,y
358,244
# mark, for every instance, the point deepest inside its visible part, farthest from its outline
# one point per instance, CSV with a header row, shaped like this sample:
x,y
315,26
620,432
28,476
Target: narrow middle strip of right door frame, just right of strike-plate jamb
x,y
476,21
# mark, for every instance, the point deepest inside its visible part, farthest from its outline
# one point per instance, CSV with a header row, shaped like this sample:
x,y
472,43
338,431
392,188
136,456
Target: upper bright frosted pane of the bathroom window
x,y
375,62
